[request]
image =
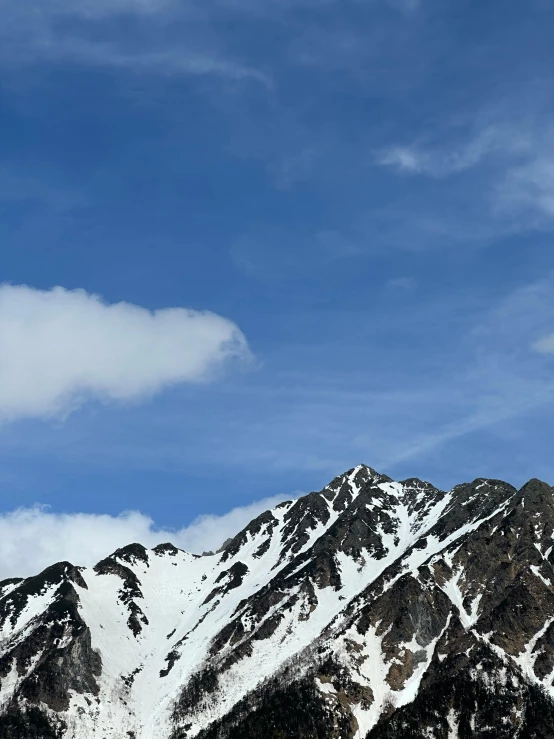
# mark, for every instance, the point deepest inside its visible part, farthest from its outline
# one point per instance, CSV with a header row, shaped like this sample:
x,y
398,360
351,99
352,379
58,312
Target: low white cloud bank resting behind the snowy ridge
x,y
34,538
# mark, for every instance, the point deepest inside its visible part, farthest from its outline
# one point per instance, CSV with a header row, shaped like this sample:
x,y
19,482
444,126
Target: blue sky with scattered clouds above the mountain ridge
x,y
246,246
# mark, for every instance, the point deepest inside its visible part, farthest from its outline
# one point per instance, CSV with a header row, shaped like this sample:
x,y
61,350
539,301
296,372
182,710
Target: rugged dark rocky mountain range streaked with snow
x,y
372,609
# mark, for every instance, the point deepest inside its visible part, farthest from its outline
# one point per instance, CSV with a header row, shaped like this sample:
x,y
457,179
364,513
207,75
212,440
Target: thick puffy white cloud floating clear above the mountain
x,y
60,347
